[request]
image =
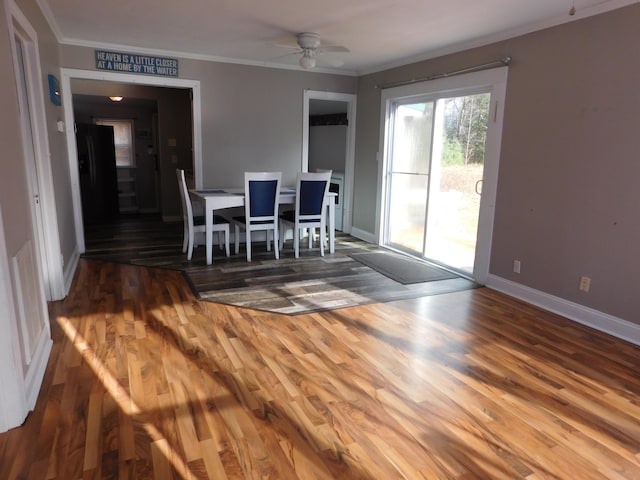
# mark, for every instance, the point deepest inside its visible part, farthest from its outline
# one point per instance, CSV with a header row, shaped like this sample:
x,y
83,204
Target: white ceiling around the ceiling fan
x,y
379,33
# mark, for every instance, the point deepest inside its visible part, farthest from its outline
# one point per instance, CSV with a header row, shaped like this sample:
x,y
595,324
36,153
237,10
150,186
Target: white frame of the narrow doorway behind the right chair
x,y
350,99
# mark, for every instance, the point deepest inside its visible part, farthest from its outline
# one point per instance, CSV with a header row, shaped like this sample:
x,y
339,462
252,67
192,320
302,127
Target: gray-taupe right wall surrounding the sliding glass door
x,y
568,198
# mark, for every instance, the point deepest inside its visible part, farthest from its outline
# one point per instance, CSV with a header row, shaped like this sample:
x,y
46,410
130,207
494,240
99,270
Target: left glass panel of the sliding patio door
x,y
408,175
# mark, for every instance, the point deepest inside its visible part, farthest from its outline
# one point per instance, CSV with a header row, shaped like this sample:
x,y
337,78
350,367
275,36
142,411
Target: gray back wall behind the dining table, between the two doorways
x,y
251,116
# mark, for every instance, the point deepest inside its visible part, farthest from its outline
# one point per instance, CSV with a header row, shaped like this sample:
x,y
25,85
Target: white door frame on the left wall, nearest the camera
x,y
38,156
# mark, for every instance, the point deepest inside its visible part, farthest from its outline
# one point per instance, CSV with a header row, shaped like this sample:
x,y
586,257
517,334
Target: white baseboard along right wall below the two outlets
x,y
603,322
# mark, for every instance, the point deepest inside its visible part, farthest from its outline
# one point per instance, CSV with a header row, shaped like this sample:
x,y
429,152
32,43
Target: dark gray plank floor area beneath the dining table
x,y
291,286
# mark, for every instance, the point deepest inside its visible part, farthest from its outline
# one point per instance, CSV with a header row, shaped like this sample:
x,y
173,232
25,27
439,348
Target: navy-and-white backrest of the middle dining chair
x,y
262,191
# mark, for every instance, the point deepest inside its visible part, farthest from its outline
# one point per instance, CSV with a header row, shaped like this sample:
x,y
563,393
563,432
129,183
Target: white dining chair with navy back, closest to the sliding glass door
x,y
311,201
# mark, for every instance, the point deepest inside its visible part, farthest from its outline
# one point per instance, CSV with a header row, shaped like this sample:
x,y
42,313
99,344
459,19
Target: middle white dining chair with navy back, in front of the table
x,y
262,192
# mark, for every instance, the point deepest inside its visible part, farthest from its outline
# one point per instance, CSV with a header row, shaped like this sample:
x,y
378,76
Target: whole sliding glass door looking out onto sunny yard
x,y
435,155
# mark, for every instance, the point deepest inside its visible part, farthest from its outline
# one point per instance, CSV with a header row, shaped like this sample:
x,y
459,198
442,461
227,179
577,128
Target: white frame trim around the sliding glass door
x,y
495,80
